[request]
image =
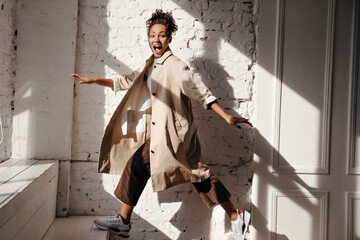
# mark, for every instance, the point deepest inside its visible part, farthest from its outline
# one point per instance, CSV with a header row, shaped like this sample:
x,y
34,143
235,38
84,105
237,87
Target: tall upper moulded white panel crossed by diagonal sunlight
x,y
304,58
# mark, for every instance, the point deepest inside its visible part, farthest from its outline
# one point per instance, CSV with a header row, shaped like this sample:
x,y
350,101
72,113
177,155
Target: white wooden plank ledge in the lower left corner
x,y
27,197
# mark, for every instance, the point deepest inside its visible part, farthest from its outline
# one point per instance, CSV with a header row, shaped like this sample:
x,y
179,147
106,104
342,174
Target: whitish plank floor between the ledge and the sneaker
x,y
74,228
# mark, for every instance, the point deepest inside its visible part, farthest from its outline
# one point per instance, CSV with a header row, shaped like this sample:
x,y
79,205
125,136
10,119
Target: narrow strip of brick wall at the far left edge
x,y
7,73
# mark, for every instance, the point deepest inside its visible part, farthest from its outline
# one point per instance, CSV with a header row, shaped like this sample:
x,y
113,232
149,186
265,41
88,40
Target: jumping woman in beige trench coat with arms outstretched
x,y
152,133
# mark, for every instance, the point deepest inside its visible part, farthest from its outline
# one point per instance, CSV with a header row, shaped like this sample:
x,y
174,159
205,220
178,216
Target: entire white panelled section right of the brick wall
x,y
309,61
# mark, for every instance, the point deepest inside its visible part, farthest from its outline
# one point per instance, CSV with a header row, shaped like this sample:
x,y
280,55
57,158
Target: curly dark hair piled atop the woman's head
x,y
164,18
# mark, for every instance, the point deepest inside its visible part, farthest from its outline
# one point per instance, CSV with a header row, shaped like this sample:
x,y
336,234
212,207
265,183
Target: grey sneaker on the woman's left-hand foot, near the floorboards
x,y
113,224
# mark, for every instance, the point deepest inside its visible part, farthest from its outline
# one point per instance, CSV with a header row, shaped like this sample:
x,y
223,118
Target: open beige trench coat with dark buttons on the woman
x,y
175,155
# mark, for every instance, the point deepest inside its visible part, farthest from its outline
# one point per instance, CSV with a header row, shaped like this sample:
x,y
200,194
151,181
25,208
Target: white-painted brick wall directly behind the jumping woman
x,y
218,40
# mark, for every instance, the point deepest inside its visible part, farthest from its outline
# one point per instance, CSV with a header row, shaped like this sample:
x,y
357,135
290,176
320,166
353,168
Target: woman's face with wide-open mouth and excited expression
x,y
158,40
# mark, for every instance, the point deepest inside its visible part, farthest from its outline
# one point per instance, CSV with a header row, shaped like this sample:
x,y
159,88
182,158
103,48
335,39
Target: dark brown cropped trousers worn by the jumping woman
x,y
137,172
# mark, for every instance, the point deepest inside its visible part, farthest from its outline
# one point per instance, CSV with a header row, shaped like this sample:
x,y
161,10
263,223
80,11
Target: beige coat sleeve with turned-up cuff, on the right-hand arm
x,y
193,87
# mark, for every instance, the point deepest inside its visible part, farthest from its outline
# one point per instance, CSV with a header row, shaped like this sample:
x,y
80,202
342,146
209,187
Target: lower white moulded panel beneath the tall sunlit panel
x,y
299,215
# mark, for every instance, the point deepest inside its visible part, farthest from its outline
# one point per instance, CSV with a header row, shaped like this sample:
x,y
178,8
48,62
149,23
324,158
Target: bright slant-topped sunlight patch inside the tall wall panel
x,y
300,123
